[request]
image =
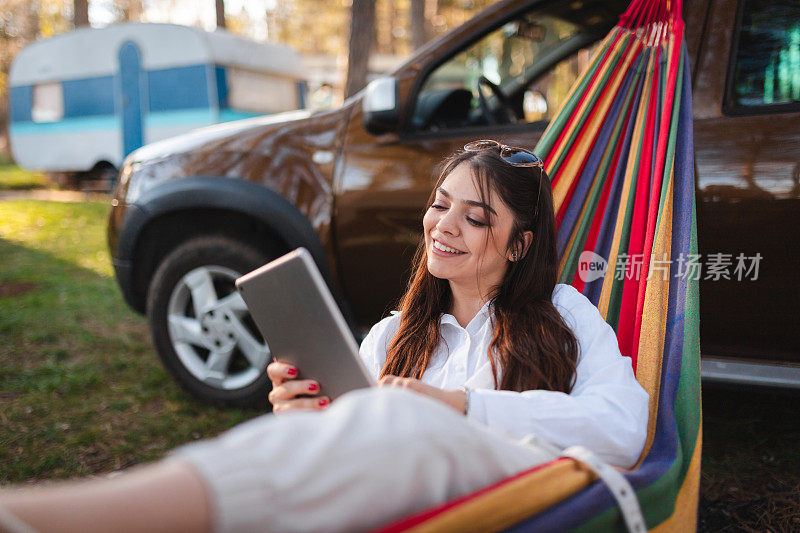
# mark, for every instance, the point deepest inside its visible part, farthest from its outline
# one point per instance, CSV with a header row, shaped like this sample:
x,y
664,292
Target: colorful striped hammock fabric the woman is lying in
x,y
620,157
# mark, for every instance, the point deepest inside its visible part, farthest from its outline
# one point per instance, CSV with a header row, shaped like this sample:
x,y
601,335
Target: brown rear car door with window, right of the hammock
x,y
747,142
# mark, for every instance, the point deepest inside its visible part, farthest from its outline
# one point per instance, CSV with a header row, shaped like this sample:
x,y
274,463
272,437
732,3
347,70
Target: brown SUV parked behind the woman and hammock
x,y
194,212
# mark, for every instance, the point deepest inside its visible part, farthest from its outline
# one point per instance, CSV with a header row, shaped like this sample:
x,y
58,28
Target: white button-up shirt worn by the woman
x,y
606,411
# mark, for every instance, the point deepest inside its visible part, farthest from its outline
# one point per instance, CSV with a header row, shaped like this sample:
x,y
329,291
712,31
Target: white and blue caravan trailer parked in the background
x,y
85,99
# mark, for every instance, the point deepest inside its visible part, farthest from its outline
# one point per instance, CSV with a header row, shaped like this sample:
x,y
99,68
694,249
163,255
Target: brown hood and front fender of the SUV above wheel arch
x,y
293,154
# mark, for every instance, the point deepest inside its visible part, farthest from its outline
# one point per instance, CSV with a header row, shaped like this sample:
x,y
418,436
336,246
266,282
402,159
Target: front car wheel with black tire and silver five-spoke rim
x,y
200,326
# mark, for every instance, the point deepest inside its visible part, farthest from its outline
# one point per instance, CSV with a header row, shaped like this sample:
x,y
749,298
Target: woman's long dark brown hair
x,y
532,347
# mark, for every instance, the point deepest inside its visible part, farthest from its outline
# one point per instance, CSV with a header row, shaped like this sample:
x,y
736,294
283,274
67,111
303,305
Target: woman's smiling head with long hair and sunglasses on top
x,y
488,237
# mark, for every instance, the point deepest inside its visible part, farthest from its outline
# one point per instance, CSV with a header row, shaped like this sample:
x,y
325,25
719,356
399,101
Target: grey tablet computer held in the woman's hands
x,y
302,325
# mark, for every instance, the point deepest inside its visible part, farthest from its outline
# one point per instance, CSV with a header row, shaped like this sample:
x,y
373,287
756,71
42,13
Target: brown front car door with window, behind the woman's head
x,y
532,55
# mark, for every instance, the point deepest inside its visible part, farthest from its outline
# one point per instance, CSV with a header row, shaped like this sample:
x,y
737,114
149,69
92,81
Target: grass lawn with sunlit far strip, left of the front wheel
x,y
81,388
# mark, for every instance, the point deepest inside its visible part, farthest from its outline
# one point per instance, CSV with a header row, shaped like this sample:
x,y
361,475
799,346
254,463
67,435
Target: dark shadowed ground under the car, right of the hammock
x,y
751,460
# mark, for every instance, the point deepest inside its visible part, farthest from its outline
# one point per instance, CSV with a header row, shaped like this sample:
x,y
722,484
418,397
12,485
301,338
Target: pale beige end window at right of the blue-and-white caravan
x,y
260,93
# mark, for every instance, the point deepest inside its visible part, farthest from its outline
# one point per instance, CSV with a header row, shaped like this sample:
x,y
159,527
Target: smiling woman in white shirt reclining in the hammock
x,y
489,369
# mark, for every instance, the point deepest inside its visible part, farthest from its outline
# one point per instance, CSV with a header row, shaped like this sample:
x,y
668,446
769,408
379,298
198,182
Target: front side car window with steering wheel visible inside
x,y
513,69
